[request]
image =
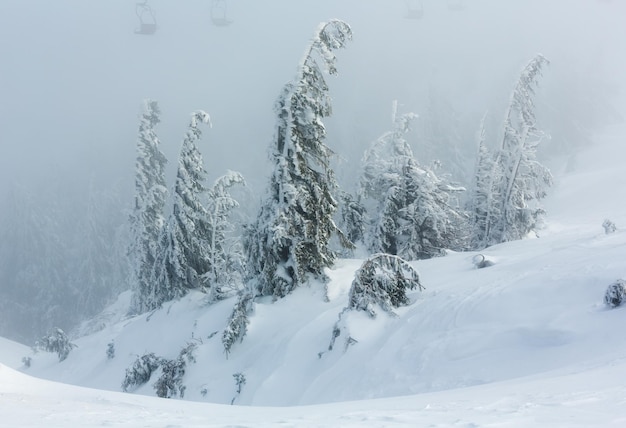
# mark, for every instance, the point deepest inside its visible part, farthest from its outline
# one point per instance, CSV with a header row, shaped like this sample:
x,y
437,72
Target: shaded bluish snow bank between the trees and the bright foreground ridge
x,y
538,309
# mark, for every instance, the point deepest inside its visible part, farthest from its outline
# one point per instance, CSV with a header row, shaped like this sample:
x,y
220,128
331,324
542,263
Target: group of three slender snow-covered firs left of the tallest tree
x,y
192,248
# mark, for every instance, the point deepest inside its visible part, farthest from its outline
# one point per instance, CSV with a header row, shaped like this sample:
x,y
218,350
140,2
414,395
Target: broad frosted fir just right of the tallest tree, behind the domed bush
x,y
415,218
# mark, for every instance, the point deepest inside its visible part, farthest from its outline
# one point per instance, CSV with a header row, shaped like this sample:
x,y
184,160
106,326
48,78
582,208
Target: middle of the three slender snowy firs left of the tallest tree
x,y
183,255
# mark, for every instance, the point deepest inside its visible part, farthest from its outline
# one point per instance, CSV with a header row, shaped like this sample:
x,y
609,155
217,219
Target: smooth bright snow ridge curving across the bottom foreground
x,y
589,397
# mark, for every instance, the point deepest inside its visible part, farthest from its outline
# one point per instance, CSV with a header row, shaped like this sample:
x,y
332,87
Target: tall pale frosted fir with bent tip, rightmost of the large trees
x,y
518,180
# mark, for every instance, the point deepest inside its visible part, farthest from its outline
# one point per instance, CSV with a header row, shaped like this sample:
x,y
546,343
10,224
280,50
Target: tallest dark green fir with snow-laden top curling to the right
x,y
291,235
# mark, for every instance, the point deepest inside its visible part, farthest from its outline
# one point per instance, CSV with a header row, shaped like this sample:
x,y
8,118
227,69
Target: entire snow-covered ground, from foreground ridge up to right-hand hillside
x,y
526,342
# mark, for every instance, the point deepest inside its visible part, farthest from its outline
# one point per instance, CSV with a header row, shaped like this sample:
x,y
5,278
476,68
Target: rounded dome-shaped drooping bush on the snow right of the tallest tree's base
x,y
382,280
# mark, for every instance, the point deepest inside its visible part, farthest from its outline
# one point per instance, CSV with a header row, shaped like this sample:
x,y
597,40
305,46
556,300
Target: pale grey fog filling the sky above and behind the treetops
x,y
73,75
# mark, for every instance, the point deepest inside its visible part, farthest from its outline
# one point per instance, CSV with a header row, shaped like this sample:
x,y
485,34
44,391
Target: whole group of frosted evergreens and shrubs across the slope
x,y
401,211
